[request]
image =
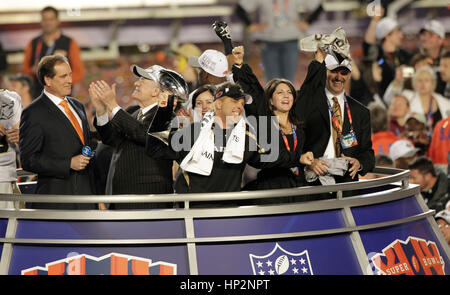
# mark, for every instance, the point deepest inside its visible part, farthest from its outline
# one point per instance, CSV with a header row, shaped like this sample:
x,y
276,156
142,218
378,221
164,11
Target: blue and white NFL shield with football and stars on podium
x,y
281,262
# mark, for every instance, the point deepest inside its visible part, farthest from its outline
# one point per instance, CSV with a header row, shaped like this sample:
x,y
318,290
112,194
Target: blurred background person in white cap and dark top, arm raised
x,y
382,41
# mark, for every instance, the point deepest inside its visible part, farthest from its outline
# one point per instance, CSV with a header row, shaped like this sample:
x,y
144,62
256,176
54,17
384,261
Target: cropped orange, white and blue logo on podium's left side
x,y
110,264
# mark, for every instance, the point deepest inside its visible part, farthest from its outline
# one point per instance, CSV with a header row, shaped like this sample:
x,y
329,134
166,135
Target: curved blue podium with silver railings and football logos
x,y
385,228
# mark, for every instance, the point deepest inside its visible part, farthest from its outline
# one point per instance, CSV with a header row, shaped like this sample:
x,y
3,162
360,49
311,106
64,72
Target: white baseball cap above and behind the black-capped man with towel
x,y
211,61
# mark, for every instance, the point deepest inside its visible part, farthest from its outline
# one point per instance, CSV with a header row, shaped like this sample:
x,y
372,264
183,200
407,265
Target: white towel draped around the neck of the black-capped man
x,y
200,159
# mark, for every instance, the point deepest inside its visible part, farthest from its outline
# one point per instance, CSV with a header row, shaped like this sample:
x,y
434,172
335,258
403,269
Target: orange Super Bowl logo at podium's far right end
x,y
414,256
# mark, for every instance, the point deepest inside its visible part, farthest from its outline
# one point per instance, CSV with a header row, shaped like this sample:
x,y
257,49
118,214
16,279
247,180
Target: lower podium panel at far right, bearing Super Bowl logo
x,y
410,248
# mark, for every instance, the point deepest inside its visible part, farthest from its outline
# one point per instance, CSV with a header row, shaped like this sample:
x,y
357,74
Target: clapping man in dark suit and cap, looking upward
x,y
132,171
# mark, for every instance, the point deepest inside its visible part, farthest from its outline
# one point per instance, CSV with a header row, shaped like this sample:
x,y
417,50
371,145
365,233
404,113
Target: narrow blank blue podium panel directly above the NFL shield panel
x,y
276,224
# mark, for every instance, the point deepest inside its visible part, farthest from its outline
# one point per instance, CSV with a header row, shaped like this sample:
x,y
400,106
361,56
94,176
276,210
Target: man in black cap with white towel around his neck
x,y
214,152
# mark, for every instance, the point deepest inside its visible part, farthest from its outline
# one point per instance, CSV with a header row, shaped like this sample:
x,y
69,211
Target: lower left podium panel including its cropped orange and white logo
x,y
91,260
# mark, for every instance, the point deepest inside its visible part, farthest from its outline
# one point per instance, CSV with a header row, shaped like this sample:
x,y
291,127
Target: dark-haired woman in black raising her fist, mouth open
x,y
274,101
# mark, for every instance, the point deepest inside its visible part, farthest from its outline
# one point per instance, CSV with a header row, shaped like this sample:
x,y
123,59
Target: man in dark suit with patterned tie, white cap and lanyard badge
x,y
336,125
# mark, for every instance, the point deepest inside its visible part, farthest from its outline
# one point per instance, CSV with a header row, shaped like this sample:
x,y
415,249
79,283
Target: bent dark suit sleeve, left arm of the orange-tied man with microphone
x,y
31,143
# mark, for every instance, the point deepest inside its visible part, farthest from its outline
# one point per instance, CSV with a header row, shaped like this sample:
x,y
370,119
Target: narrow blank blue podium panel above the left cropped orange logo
x,y
41,229
